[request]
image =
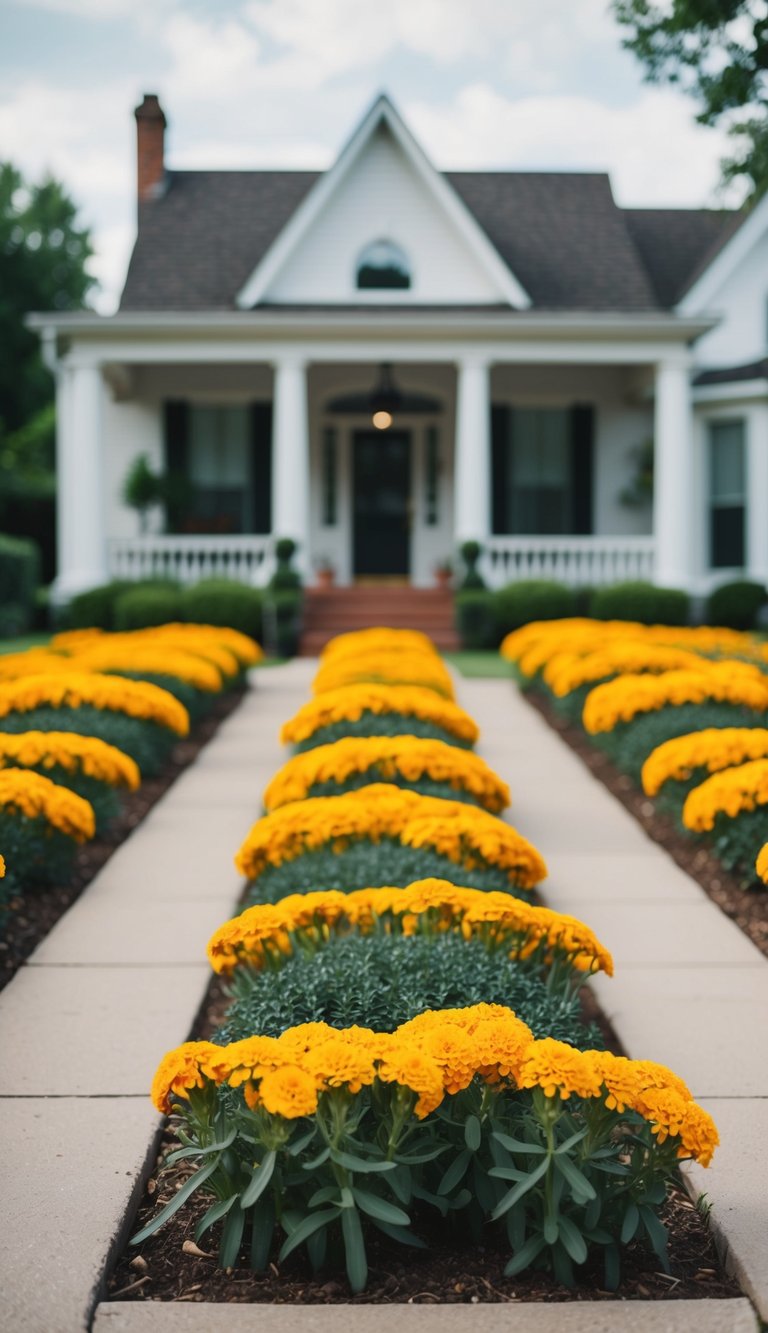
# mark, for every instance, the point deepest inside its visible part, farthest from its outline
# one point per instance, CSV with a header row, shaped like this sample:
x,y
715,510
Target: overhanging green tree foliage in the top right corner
x,y
717,51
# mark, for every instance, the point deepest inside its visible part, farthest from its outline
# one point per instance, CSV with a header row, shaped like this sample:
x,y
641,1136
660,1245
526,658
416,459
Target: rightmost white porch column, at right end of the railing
x,y
674,477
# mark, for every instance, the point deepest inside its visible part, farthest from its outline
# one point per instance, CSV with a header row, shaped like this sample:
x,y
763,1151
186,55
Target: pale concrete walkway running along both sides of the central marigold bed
x,y
119,980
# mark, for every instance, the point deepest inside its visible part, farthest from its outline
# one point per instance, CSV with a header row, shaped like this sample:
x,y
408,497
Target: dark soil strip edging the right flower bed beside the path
x,y
747,908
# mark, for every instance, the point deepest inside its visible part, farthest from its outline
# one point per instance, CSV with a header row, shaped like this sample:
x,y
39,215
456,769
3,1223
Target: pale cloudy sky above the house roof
x,y
502,85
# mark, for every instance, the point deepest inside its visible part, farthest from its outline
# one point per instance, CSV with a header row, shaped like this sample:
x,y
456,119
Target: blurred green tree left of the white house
x,y
43,257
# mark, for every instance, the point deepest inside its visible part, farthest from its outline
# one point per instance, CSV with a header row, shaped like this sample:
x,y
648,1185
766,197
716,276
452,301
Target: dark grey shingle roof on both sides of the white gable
x,y
561,234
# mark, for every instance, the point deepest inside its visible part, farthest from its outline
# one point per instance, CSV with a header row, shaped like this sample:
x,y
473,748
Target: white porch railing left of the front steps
x,y
190,559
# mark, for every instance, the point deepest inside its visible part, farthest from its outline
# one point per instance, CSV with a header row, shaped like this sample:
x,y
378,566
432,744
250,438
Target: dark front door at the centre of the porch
x,y
382,494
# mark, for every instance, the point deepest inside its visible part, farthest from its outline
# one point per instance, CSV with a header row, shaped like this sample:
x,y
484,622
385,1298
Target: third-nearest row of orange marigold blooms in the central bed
x,y
465,834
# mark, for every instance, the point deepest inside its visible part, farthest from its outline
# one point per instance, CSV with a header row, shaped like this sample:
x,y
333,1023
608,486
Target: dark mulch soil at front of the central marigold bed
x,y
170,1267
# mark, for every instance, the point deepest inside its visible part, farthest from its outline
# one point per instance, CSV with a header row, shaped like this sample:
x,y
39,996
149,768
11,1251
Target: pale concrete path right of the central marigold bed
x,y
691,991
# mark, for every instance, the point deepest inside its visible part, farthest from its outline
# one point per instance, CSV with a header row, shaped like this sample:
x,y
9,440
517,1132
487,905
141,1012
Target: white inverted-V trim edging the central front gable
x,y
382,115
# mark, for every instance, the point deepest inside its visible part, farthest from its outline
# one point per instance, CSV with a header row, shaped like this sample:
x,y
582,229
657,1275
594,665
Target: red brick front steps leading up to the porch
x,y
334,611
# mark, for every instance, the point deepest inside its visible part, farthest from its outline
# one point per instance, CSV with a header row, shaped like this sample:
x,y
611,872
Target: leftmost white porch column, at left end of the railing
x,y
81,506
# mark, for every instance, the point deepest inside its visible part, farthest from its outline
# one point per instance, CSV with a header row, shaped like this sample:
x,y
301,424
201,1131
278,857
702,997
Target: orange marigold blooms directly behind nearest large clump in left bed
x,y
73,752
